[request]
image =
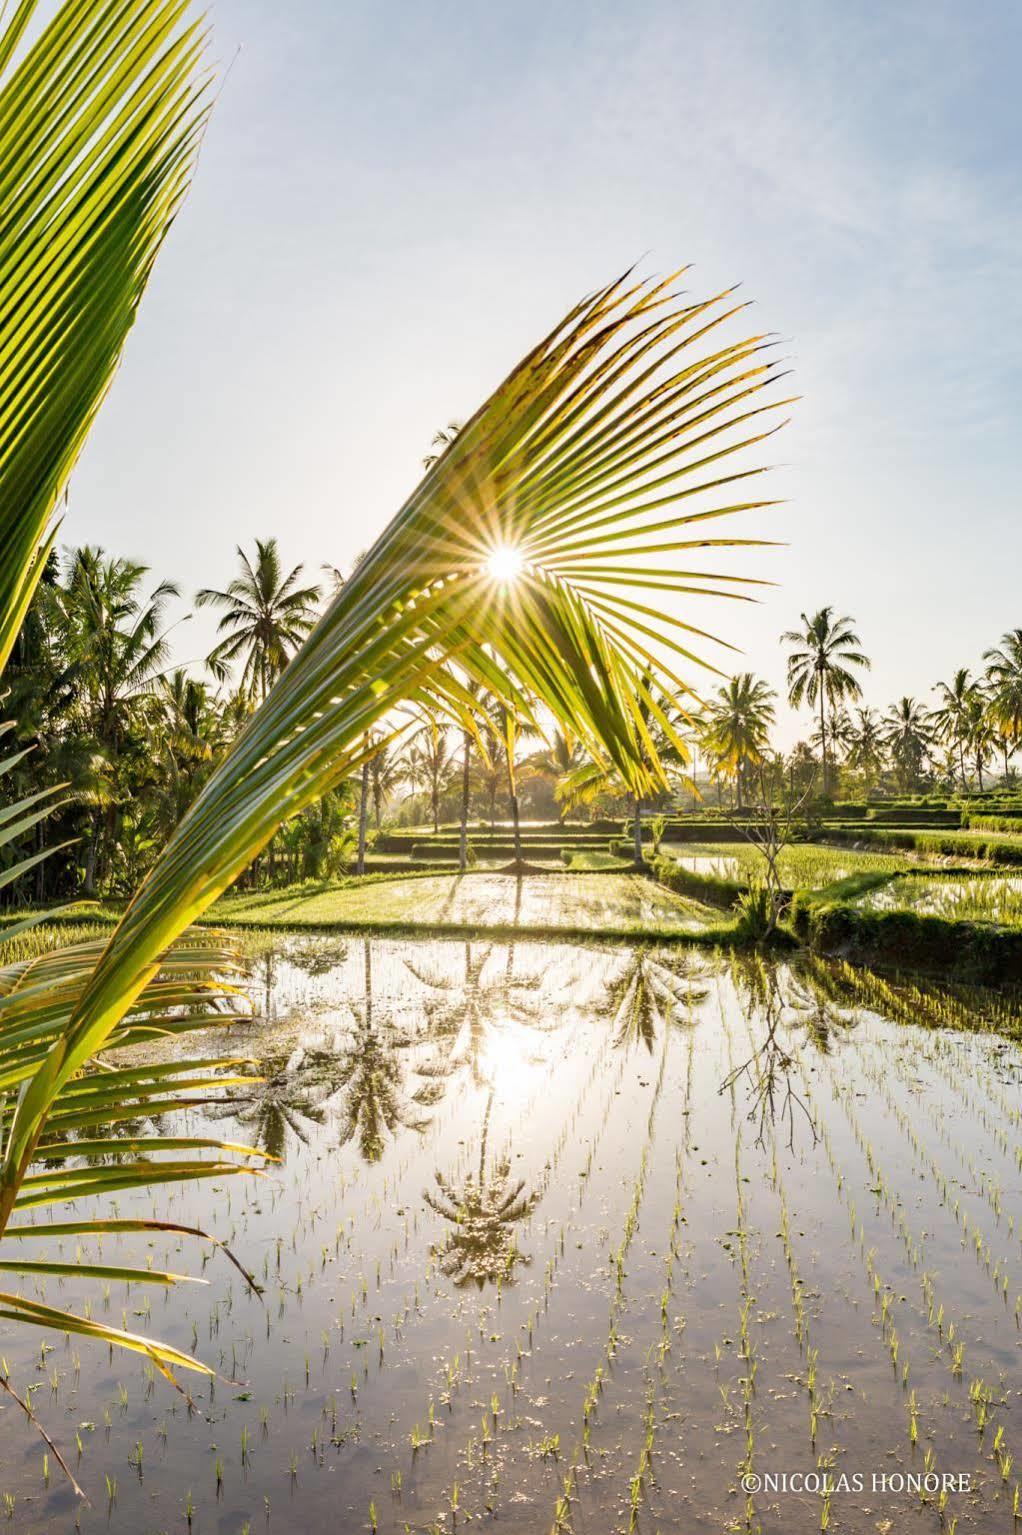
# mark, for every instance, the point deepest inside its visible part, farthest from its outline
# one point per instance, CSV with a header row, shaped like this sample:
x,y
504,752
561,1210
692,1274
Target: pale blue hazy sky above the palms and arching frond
x,y
395,202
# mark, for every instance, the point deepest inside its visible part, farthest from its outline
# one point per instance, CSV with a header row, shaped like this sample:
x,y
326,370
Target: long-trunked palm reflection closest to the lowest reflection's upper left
x,y
375,1100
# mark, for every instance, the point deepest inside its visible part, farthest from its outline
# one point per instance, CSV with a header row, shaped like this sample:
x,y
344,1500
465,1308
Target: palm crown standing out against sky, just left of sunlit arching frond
x,y
266,618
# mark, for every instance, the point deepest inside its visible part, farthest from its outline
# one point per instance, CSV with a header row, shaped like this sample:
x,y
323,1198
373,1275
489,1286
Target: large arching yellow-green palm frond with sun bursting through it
x,y
592,449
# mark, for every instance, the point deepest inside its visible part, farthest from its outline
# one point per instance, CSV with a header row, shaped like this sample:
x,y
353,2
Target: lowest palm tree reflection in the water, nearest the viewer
x,y
484,1213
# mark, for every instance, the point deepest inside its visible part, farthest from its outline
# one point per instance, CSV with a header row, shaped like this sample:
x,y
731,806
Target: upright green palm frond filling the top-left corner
x,y
99,128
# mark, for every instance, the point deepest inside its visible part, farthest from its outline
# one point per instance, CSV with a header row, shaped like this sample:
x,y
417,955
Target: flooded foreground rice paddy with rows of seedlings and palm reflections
x,y
570,1238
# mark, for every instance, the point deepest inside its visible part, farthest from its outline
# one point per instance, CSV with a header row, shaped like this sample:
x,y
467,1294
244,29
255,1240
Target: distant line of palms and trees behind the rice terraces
x,y
102,711
